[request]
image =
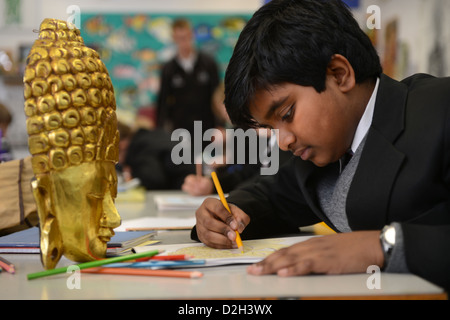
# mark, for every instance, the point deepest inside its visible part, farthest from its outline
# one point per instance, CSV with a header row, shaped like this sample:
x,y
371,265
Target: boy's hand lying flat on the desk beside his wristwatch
x,y
334,254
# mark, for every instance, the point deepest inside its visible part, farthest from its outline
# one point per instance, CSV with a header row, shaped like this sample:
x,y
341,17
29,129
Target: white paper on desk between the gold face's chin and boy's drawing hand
x,y
157,223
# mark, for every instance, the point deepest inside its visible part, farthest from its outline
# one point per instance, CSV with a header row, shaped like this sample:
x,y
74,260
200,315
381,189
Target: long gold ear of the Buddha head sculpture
x,y
50,236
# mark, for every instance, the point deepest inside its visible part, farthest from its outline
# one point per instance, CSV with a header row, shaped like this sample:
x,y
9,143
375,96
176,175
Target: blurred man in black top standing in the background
x,y
188,82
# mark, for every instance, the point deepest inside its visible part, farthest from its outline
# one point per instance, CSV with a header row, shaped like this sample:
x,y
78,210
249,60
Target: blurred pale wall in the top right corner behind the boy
x,y
421,42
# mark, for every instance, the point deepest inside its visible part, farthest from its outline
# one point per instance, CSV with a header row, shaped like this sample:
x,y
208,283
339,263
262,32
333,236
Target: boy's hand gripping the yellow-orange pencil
x,y
216,226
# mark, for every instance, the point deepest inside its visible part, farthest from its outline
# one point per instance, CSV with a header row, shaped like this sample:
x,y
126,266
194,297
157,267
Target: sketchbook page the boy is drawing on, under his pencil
x,y
254,250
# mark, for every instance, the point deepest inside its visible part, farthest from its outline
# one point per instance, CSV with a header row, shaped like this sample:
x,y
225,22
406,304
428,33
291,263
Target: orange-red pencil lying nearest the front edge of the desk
x,y
145,272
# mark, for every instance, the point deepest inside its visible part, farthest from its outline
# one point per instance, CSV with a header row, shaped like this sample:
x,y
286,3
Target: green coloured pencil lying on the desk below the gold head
x,y
93,264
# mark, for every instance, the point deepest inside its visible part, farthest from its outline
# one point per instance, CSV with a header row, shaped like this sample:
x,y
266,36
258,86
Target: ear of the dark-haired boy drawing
x,y
342,72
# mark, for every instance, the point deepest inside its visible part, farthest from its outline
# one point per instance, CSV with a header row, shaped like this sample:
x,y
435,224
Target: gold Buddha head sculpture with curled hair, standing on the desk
x,y
73,139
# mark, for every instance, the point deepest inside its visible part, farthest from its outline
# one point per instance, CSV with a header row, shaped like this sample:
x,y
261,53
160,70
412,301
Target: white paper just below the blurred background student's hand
x,y
180,202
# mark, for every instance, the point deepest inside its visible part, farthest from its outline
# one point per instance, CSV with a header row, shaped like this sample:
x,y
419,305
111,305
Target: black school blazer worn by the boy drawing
x,y
403,176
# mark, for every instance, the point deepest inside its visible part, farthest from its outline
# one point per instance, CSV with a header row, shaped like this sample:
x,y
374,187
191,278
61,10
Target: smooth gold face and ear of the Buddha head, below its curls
x,y
77,212
